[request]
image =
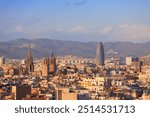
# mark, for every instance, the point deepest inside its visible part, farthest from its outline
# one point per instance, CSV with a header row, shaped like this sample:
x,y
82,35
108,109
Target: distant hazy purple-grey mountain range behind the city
x,y
44,47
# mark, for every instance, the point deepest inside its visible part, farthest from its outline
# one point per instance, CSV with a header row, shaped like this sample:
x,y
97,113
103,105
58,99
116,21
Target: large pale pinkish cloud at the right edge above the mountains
x,y
133,32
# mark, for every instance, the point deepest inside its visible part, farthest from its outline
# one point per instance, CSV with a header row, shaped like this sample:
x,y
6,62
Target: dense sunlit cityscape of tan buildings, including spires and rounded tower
x,y
74,78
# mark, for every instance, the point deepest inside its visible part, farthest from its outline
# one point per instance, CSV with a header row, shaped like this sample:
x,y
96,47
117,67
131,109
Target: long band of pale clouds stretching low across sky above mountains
x,y
120,32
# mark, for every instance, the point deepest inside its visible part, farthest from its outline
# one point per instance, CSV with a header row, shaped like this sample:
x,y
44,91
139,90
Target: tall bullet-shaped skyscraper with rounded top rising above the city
x,y
99,54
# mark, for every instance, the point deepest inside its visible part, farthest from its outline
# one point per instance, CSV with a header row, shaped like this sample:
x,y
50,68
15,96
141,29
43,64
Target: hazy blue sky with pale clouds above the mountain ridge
x,y
82,20
